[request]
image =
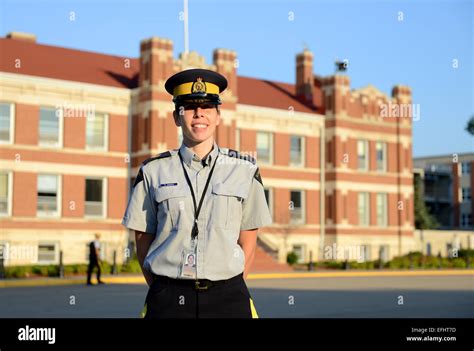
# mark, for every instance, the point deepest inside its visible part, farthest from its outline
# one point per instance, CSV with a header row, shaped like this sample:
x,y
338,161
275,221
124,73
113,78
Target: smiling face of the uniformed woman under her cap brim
x,y
198,121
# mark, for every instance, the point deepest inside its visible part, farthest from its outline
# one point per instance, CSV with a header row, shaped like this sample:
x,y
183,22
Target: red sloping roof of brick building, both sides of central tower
x,y
109,70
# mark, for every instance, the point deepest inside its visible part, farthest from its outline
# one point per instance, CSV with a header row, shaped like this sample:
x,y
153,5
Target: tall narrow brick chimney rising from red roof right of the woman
x,y
304,76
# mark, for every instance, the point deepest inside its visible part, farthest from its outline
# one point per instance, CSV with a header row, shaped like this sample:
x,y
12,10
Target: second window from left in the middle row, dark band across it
x,y
47,195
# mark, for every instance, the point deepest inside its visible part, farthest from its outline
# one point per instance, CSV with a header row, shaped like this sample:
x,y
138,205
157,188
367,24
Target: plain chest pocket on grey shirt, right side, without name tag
x,y
227,204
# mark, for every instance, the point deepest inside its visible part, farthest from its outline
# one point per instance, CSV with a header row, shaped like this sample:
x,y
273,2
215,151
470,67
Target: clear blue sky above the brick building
x,y
427,45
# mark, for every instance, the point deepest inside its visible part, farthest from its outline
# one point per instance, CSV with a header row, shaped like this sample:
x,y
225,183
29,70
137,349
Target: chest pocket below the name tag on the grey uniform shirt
x,y
172,205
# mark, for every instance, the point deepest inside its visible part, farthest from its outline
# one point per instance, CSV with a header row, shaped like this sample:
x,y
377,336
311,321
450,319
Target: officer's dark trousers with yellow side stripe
x,y
170,298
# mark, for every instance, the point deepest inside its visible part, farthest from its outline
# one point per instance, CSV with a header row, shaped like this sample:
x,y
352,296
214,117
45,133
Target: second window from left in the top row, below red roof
x,y
50,127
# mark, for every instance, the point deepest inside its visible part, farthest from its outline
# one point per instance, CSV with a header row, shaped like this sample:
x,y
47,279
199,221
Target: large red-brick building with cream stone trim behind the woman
x,y
76,125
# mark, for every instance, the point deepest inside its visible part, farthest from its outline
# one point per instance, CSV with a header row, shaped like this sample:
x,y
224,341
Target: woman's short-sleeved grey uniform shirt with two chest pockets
x,y
161,204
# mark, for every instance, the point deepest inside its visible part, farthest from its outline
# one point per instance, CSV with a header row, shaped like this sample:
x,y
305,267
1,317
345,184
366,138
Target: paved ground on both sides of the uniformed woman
x,y
352,297
